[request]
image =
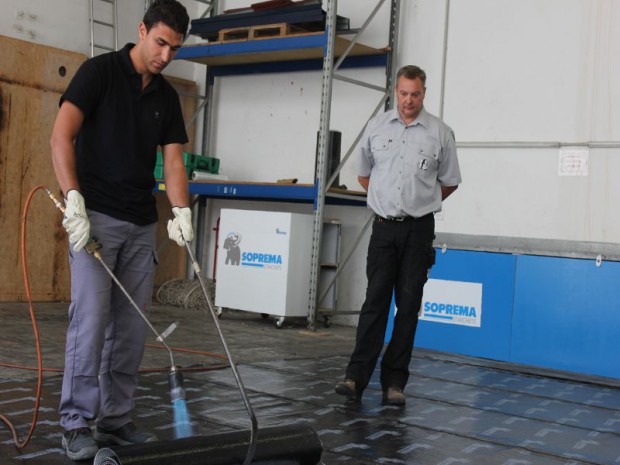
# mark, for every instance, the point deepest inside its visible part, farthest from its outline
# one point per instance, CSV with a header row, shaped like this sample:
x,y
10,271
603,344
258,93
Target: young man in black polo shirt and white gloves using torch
x,y
113,116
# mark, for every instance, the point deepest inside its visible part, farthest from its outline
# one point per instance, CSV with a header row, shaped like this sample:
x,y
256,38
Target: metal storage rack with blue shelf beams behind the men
x,y
299,53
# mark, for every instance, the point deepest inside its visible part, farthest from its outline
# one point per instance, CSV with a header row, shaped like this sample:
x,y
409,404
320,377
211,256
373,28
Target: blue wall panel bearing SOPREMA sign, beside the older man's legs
x,y
454,321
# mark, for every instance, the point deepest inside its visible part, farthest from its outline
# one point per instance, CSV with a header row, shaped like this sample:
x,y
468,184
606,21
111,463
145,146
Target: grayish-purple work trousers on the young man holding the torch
x,y
106,335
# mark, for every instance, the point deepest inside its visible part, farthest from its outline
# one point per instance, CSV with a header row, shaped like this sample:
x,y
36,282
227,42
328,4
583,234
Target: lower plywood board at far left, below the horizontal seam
x,y
25,164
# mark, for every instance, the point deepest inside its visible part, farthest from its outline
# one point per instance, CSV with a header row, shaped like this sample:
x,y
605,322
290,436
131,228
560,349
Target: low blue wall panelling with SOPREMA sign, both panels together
x,y
547,312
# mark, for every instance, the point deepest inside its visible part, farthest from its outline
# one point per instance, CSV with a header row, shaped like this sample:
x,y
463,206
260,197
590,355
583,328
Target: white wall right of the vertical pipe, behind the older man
x,y
531,72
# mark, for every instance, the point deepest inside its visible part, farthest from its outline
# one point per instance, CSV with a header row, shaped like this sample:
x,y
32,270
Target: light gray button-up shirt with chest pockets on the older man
x,y
407,164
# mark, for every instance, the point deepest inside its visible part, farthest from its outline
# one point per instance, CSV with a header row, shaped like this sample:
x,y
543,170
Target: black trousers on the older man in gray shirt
x,y
400,255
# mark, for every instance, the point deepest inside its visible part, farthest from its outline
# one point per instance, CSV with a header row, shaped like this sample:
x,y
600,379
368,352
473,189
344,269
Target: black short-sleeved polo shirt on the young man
x,y
116,147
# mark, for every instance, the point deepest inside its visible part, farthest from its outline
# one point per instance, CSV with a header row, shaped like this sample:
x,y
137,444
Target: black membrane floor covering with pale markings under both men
x,y
456,413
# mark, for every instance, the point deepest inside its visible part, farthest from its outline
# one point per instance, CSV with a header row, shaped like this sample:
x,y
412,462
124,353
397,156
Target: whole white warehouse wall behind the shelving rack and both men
x,y
521,80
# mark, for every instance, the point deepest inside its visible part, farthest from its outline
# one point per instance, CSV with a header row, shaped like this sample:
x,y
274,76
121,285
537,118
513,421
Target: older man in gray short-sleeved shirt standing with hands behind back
x,y
408,165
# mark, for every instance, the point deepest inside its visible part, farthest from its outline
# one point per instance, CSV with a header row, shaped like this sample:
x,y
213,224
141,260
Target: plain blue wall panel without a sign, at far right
x,y
567,315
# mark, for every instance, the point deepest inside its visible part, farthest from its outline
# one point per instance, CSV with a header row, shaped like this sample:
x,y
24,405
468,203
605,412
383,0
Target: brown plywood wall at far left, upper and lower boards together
x,y
31,80
